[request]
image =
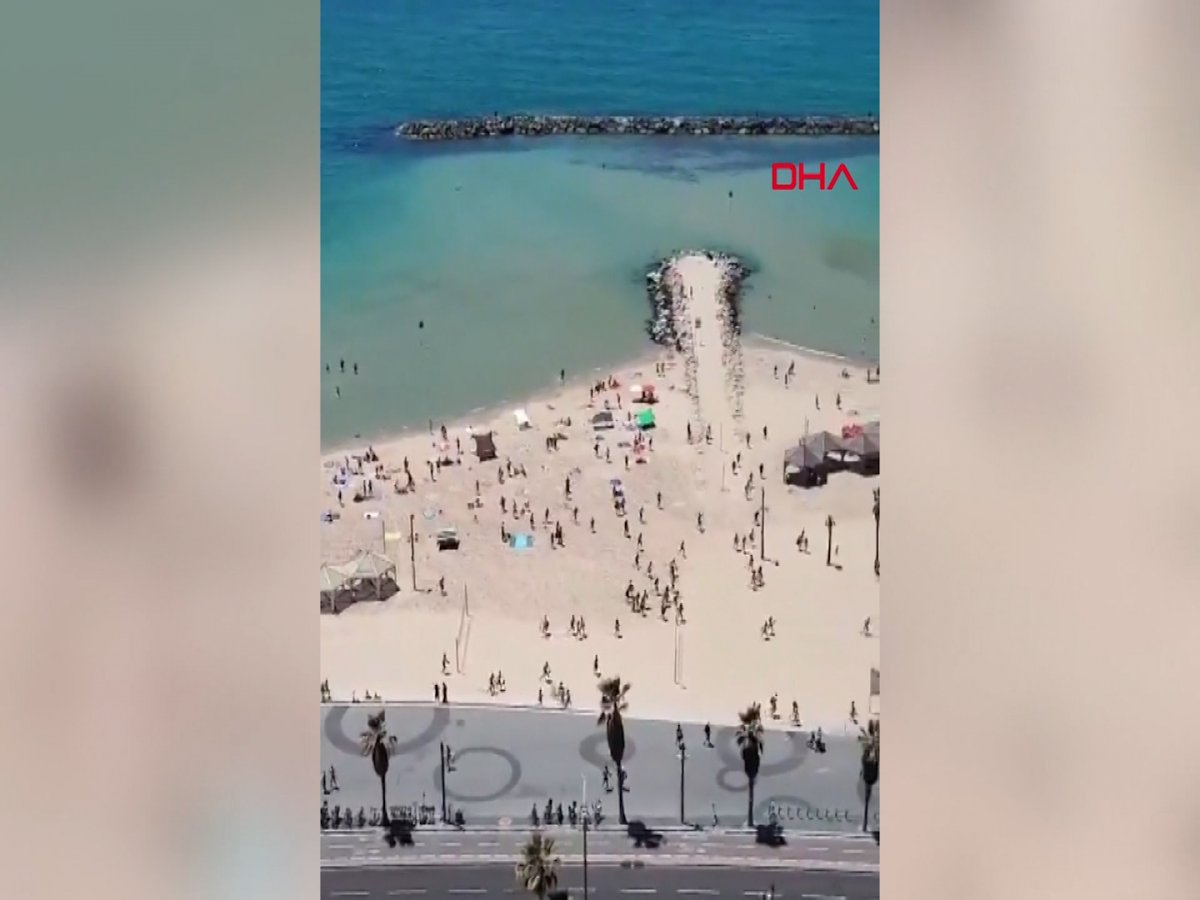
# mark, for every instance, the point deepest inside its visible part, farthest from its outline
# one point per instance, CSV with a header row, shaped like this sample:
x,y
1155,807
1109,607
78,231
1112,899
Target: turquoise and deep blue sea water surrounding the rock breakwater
x,y
527,257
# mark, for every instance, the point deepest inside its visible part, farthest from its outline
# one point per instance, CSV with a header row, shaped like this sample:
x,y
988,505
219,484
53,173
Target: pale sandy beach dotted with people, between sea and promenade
x,y
703,667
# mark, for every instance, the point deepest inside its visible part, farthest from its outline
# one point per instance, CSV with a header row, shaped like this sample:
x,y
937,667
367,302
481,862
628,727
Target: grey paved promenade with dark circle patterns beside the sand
x,y
509,760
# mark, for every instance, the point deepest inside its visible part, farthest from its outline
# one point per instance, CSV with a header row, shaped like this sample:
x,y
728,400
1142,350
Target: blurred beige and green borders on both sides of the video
x,y
159,268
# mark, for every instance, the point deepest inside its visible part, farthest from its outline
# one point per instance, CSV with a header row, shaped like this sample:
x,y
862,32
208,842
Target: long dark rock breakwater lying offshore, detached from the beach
x,y
537,127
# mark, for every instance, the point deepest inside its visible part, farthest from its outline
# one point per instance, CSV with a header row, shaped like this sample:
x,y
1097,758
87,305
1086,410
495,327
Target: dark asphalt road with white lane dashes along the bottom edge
x,y
604,883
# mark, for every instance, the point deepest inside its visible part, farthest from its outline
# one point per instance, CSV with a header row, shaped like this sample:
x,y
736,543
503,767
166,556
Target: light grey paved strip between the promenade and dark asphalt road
x,y
739,849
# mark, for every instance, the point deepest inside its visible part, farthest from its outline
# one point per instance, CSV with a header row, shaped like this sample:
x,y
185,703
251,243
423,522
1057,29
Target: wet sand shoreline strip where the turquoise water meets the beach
x,y
752,340
